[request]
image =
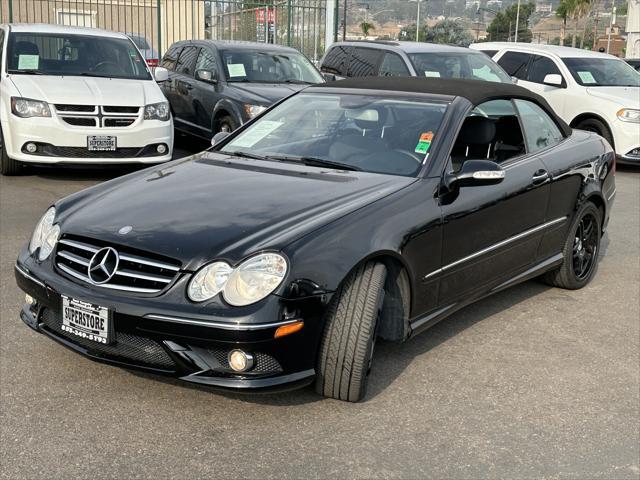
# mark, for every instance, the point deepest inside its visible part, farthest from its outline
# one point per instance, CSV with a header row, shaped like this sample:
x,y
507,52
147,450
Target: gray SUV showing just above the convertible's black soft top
x,y
409,59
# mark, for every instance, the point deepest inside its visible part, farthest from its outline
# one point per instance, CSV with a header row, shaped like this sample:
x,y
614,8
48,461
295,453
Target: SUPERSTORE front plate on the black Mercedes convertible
x,y
86,320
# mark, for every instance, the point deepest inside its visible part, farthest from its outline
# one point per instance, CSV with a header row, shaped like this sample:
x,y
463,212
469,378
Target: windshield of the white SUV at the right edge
x,y
602,72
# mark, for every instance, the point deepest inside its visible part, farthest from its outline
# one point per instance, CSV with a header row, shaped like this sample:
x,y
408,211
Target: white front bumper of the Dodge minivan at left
x,y
59,142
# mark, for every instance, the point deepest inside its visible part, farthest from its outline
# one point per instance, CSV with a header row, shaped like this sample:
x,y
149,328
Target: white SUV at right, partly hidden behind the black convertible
x,y
589,90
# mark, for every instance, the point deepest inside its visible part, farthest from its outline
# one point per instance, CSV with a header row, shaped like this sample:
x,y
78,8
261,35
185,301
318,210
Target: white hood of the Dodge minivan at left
x,y
88,90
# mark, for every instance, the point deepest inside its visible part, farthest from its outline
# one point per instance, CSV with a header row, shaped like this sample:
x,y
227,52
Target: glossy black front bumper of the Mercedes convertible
x,y
189,350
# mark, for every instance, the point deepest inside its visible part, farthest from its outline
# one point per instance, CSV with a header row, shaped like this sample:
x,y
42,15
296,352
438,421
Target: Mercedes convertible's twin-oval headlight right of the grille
x,y
251,281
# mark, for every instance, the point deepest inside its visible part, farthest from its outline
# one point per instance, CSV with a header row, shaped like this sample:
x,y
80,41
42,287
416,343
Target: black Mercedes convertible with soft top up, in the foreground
x,y
351,211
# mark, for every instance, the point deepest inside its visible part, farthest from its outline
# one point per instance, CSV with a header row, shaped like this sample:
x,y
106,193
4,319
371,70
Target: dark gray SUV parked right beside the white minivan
x,y
216,86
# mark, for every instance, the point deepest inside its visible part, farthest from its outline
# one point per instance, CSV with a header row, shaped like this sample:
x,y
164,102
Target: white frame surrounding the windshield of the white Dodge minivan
x,y
12,39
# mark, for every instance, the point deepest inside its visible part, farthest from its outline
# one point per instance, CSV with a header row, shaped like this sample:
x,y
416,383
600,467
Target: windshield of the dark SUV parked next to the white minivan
x,y
268,67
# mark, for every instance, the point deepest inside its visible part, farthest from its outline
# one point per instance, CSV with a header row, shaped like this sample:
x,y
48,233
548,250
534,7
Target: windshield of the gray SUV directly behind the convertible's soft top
x,y
473,66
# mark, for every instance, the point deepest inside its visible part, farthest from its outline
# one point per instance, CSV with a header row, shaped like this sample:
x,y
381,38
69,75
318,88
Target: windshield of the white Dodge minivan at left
x,y
69,55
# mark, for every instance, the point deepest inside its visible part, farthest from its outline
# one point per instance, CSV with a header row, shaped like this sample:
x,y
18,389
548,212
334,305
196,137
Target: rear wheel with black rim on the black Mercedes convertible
x,y
567,275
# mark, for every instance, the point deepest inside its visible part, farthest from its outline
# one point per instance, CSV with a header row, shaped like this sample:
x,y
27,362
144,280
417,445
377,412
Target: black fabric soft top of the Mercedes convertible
x,y
476,91
